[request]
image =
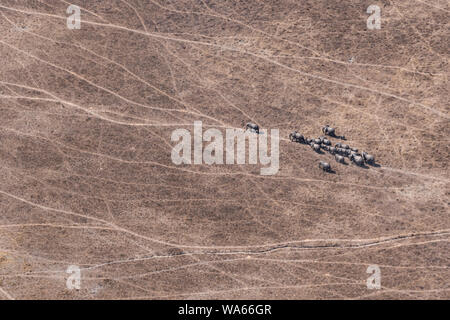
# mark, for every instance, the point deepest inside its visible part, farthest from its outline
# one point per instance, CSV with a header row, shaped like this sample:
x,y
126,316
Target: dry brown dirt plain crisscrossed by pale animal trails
x,y
86,176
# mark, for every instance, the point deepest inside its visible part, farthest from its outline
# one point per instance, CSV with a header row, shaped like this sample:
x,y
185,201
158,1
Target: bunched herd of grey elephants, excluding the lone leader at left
x,y
339,150
